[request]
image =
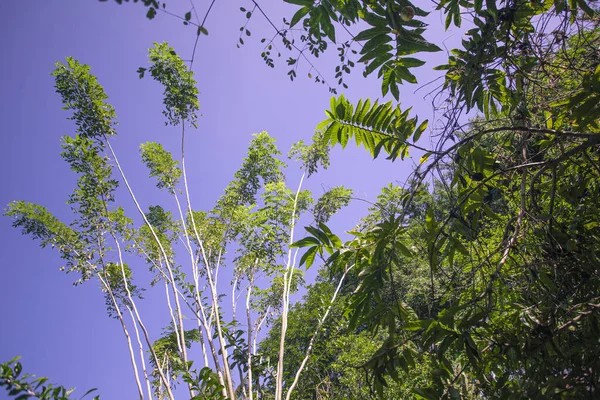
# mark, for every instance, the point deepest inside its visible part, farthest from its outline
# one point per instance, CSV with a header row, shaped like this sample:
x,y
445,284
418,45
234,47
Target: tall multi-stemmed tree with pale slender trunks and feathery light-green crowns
x,y
253,222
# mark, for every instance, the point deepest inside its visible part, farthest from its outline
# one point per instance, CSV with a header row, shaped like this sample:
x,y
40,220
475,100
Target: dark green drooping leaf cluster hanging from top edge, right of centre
x,y
384,44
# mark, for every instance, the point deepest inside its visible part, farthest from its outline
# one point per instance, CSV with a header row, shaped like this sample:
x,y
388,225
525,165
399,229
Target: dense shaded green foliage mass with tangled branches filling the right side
x,y
510,312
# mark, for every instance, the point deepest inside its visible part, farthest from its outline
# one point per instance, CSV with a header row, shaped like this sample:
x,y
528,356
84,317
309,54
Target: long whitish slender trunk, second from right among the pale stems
x,y
285,299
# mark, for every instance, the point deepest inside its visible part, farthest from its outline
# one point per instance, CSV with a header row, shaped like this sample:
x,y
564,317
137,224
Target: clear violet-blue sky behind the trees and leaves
x,y
63,332
